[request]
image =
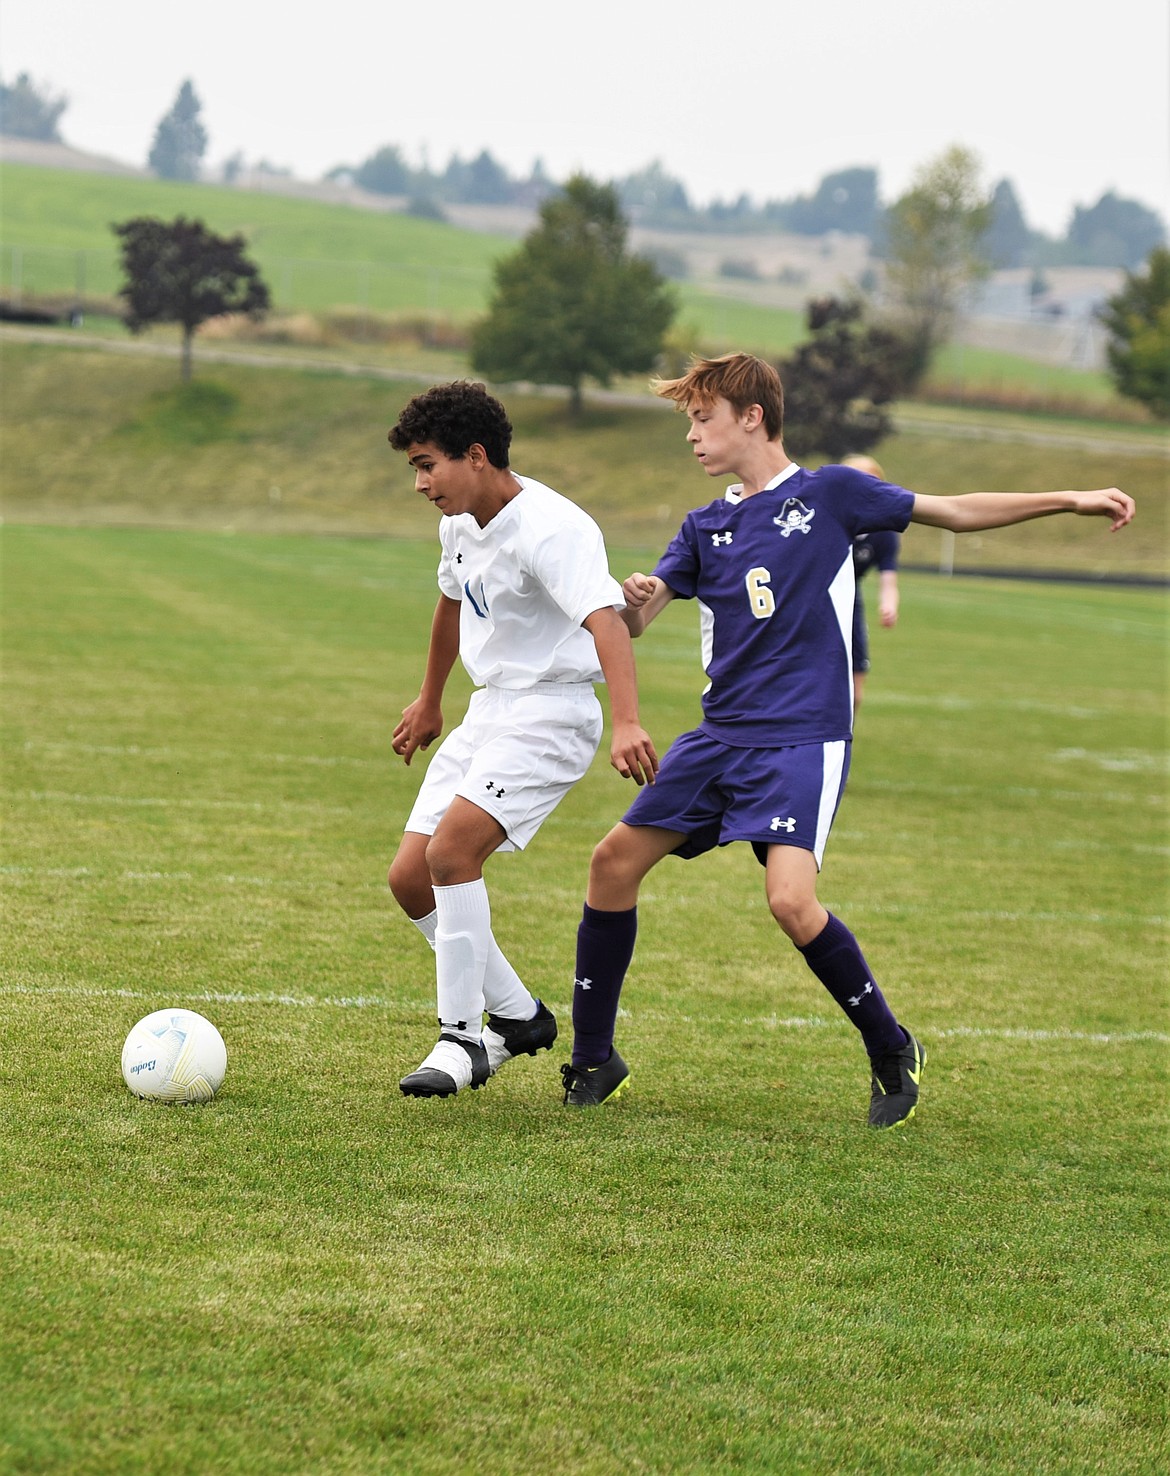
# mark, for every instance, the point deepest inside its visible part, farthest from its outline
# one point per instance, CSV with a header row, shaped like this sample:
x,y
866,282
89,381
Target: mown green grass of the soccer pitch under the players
x,y
728,1272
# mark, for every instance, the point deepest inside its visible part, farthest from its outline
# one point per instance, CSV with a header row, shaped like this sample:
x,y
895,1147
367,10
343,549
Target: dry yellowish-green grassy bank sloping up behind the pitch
x,y
110,438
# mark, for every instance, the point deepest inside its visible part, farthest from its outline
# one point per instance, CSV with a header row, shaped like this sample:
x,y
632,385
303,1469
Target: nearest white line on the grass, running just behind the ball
x,y
772,1022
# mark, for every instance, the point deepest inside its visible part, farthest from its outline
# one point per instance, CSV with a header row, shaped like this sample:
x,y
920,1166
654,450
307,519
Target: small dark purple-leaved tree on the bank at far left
x,y
181,272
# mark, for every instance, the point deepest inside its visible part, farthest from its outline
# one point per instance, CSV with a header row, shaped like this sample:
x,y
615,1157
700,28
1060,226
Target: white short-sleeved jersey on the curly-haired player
x,y
526,582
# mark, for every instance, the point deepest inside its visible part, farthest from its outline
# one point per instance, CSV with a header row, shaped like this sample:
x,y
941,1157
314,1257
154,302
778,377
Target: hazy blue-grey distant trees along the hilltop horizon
x,y
1113,232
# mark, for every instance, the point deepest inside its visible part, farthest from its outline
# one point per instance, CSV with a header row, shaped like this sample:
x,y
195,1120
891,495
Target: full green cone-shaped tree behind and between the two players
x,y
572,303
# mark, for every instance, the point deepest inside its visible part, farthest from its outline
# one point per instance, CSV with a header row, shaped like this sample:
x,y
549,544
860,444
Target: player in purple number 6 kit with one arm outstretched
x,y
771,566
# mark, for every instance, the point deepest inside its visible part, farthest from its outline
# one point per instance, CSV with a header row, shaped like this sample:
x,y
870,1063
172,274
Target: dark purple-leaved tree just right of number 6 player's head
x,y
840,384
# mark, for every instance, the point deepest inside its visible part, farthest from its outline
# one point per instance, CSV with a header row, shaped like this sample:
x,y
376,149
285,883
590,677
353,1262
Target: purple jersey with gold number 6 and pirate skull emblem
x,y
775,584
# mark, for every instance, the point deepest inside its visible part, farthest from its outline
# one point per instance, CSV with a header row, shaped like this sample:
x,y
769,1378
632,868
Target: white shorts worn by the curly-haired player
x,y
516,755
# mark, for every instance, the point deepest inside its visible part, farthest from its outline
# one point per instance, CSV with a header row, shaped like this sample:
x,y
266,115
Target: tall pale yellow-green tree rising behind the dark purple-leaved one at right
x,y
935,244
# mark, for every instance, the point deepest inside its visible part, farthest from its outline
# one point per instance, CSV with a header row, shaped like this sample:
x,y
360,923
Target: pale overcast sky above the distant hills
x,y
1066,98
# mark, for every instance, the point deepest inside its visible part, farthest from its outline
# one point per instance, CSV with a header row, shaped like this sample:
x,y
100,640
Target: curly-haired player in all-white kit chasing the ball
x,y
529,604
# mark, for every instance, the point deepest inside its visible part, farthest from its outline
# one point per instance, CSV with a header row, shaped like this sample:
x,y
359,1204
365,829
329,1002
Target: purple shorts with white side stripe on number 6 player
x,y
713,795
